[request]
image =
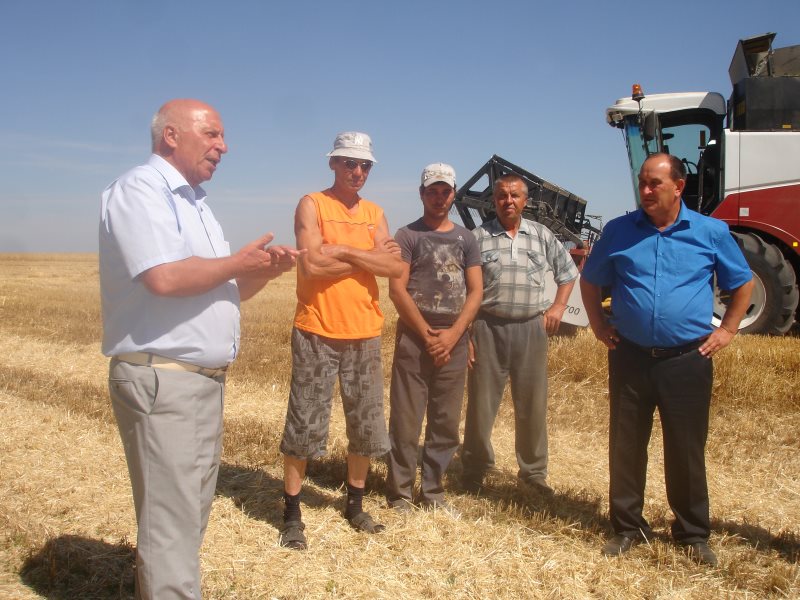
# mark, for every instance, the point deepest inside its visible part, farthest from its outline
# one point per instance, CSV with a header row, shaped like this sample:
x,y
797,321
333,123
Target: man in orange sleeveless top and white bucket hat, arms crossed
x,y
337,331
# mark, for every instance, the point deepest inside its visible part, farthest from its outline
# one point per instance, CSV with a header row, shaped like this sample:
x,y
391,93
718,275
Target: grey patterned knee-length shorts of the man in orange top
x,y
316,363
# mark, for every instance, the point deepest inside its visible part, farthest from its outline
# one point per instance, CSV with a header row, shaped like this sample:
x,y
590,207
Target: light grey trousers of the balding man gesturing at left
x,y
170,423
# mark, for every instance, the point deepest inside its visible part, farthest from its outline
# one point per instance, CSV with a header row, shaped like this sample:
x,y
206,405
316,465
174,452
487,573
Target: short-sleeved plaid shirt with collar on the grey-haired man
x,y
514,268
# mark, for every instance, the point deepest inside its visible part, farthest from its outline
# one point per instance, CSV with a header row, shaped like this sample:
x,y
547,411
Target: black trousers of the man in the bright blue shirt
x,y
680,387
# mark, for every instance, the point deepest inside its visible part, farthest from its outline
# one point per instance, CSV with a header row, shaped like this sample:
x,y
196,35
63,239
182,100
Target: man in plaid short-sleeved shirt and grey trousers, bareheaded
x,y
509,336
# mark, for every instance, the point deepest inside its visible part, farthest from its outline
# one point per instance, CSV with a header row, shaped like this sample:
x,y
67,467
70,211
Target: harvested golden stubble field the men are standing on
x,y
67,526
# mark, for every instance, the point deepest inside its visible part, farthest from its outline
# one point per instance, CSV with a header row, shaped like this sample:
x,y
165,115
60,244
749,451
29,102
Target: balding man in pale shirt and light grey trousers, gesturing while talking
x,y
170,293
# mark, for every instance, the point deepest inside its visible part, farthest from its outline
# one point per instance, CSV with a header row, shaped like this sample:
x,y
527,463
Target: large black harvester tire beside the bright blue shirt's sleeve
x,y
773,308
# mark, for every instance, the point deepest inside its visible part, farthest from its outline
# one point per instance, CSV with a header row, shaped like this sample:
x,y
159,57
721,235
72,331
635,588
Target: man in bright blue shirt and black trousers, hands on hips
x,y
660,262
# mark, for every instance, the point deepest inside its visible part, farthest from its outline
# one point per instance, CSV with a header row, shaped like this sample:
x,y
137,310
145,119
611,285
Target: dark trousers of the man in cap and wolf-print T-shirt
x,y
418,389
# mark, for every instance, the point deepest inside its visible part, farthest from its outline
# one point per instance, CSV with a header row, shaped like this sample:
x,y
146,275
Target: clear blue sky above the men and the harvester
x,y
429,81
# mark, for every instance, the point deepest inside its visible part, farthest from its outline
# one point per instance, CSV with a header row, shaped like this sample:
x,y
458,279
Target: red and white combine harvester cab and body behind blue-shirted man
x,y
743,163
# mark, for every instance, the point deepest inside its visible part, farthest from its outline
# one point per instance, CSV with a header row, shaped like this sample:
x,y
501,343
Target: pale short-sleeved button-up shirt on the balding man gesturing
x,y
151,216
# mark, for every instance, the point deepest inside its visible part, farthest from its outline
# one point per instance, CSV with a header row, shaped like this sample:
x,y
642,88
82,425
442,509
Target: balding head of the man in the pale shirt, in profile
x,y
189,135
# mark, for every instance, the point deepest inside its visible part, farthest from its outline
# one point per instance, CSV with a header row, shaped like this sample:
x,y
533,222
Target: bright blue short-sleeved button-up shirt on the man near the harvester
x,y
661,282
